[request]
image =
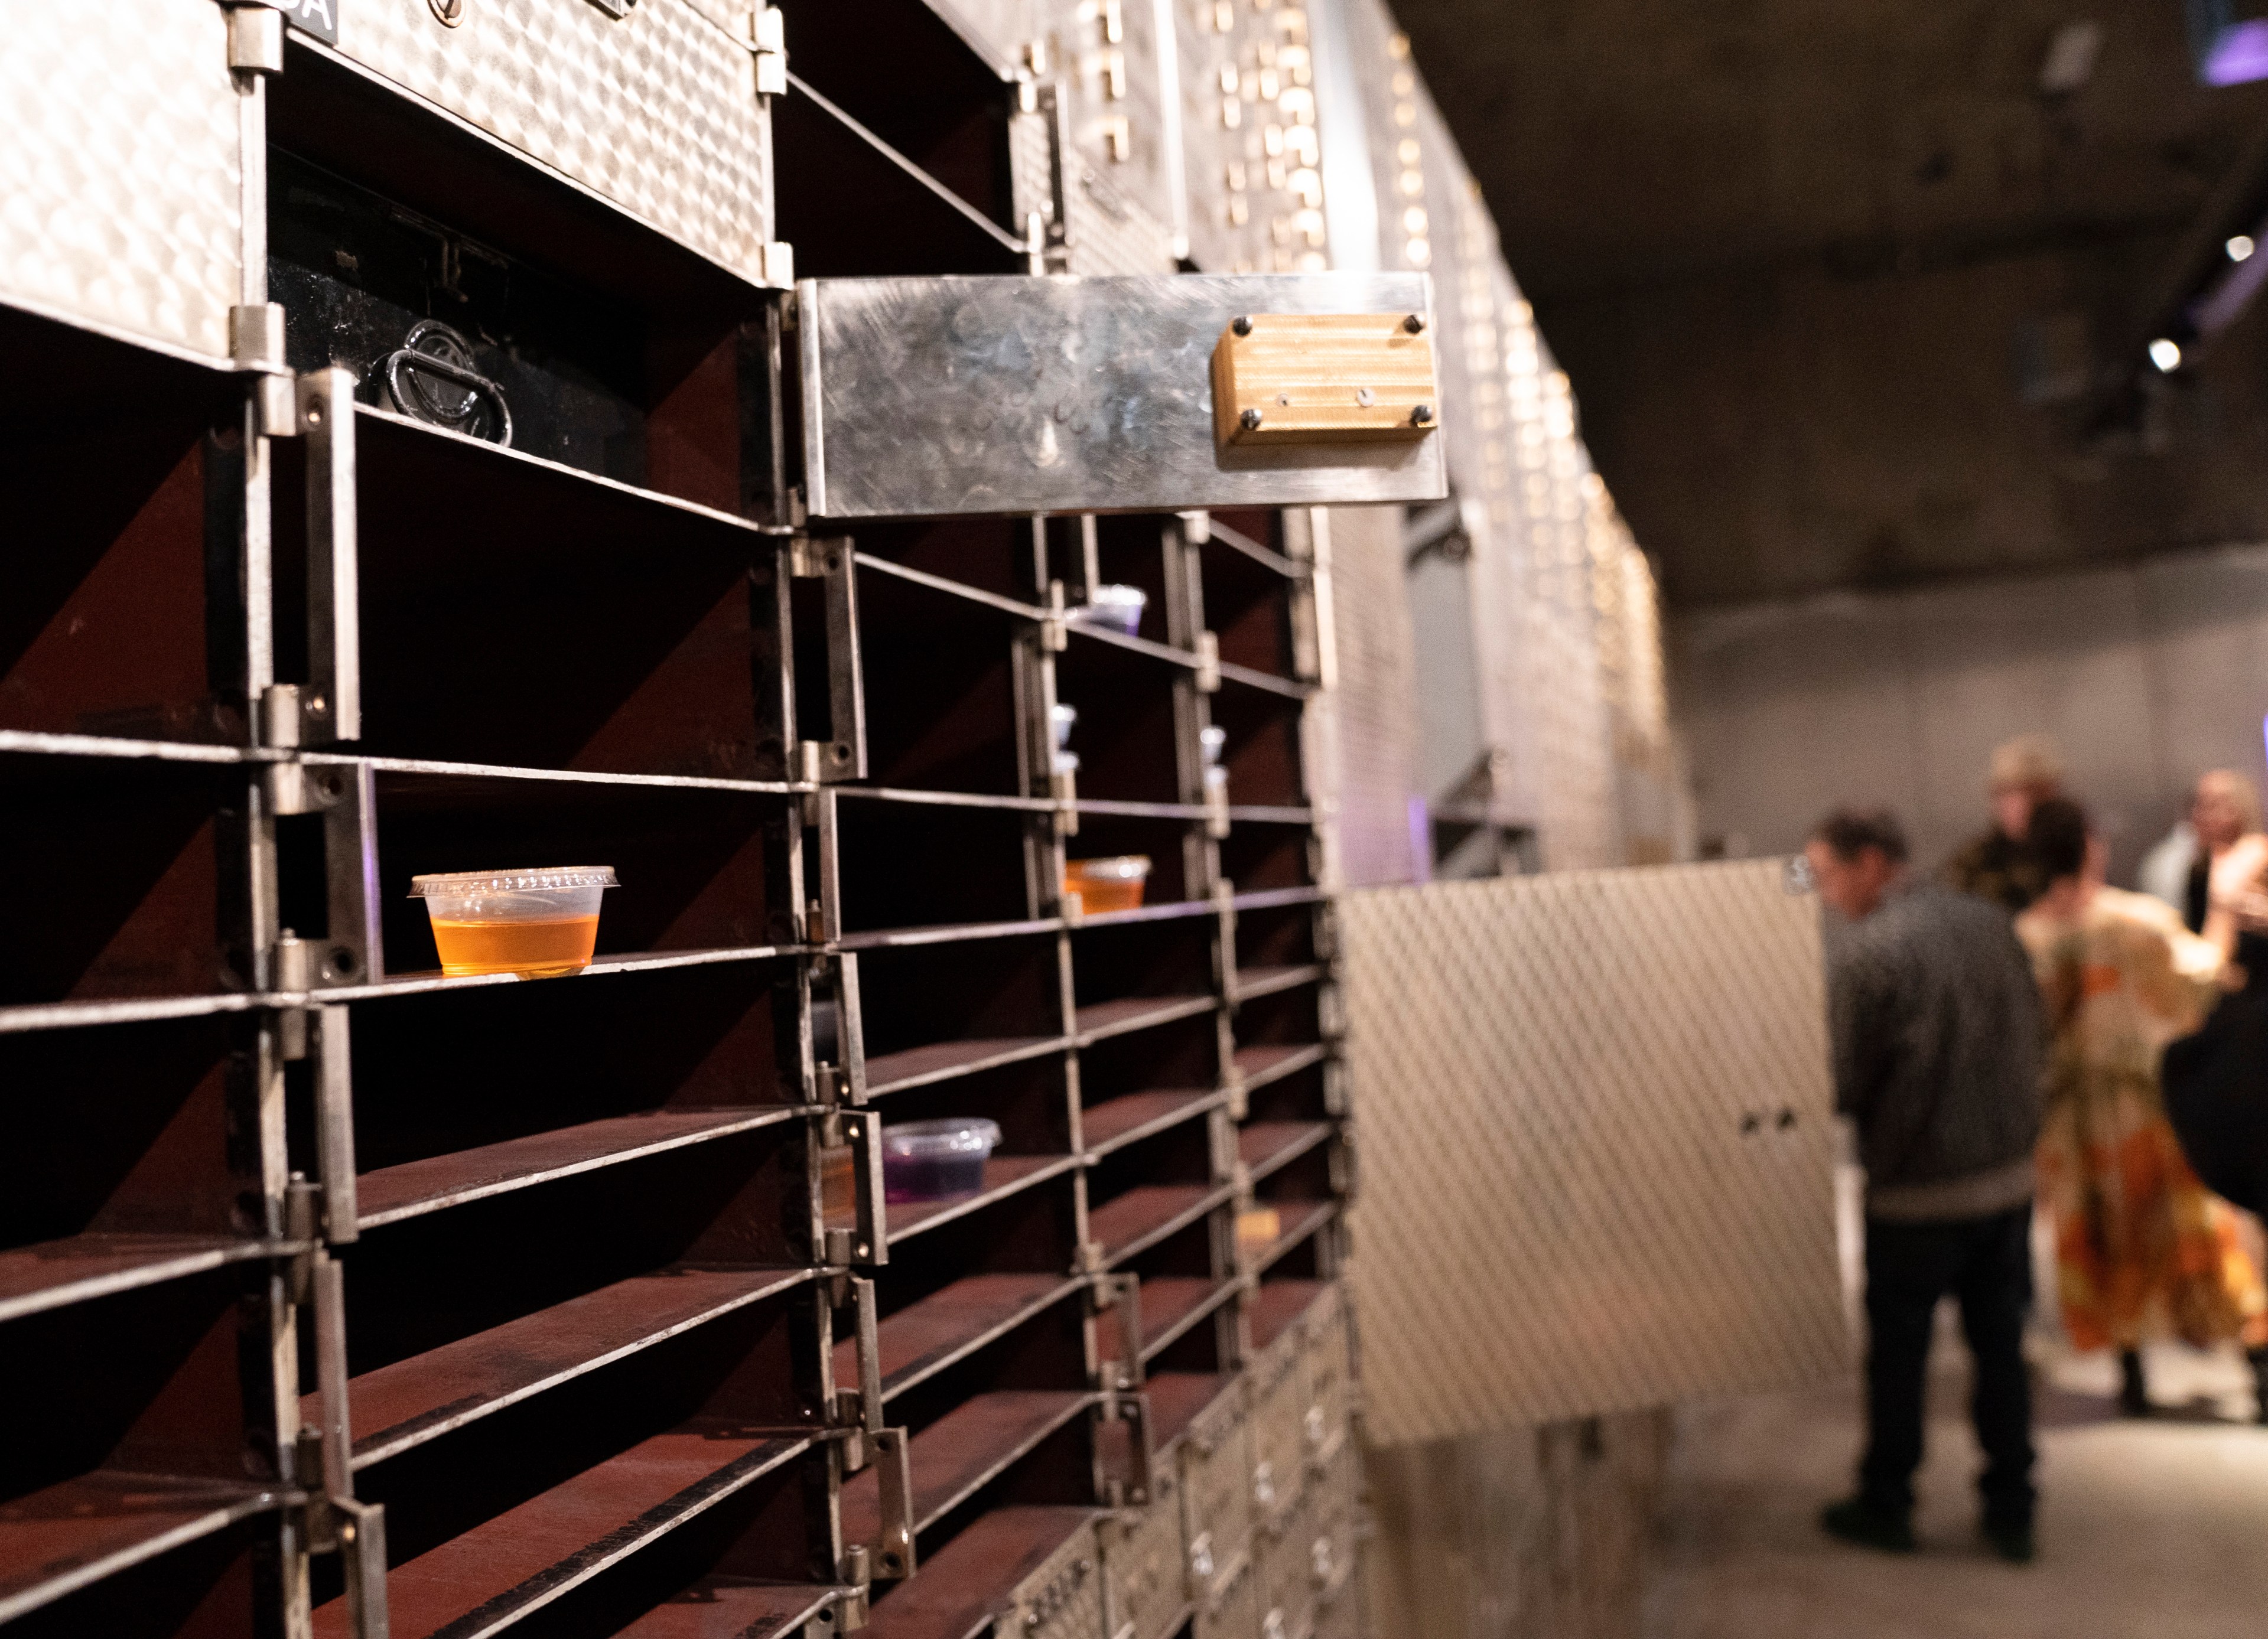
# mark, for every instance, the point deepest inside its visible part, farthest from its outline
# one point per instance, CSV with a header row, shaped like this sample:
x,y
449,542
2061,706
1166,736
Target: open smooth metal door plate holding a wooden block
x,y
940,398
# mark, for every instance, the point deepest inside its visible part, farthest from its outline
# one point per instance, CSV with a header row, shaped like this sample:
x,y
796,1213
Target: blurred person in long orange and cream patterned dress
x,y
2140,1243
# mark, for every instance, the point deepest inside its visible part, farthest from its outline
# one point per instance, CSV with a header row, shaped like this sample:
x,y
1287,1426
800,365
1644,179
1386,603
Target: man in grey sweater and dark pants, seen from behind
x,y
1938,1042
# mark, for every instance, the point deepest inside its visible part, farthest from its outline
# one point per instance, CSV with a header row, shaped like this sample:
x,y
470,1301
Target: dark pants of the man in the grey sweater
x,y
1988,1266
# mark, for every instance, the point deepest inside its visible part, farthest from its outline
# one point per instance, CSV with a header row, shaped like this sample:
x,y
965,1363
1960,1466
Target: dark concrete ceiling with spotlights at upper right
x,y
1791,255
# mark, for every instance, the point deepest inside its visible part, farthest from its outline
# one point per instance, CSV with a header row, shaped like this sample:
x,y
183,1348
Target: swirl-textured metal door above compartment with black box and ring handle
x,y
654,112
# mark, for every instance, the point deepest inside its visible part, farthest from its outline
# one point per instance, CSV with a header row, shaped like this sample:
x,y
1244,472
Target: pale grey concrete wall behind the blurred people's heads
x,y
2147,674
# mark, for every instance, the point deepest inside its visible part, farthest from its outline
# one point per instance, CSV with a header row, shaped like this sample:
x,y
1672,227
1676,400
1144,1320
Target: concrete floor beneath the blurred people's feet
x,y
2149,1529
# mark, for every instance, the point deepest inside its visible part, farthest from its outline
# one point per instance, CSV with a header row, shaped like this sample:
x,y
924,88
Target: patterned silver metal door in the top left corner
x,y
121,203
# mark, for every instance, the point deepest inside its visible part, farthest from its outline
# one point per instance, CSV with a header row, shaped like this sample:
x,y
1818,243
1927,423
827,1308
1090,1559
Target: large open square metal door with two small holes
x,y
1598,1146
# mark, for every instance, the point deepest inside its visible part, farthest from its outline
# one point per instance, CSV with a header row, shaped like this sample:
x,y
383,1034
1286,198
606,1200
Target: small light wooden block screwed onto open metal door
x,y
1326,380
